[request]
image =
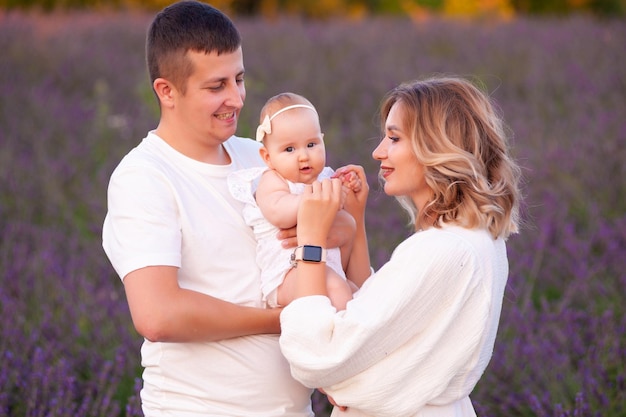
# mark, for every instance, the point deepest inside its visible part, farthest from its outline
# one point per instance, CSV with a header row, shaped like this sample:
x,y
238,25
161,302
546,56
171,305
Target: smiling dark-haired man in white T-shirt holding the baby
x,y
178,241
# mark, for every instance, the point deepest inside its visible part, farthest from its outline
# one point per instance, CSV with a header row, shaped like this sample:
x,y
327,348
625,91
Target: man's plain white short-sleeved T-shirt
x,y
167,209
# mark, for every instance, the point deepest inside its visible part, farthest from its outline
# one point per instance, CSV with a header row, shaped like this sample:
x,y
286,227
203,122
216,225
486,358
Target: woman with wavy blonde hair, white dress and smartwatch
x,y
418,335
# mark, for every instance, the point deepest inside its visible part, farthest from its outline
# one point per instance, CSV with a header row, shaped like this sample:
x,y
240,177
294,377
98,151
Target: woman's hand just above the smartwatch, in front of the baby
x,y
319,205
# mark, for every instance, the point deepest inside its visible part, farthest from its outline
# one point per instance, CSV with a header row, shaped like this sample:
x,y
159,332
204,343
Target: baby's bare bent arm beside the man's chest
x,y
278,205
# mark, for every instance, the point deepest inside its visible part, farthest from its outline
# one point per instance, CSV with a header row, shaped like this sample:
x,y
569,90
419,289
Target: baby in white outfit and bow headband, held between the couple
x,y
293,150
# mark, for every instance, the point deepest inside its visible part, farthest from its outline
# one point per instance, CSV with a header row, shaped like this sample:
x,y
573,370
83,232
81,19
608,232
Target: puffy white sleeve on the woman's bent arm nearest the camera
x,y
410,301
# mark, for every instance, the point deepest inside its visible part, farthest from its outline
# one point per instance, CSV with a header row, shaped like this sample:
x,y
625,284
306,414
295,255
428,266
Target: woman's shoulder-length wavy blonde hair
x,y
460,139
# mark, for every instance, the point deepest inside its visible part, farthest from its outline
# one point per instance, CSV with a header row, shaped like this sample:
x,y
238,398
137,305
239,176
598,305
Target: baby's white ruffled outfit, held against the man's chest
x,y
272,258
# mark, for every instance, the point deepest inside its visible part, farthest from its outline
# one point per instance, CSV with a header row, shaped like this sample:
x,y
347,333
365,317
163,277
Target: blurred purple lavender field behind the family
x,y
74,98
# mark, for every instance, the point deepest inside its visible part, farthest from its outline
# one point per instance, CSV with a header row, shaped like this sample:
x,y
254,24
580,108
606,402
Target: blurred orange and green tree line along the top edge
x,y
349,8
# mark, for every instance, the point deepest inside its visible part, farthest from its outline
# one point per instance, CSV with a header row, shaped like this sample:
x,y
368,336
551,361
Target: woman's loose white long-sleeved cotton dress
x,y
416,337
